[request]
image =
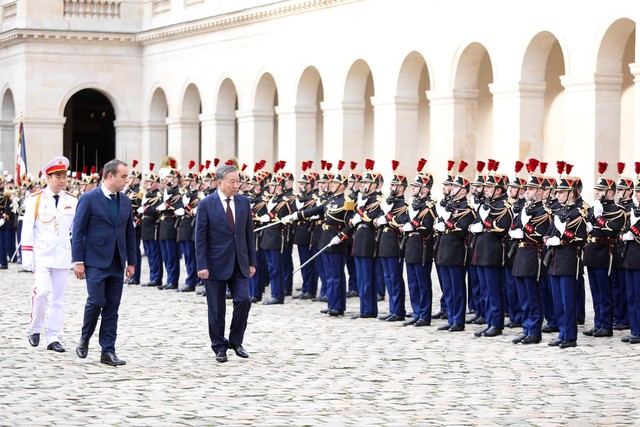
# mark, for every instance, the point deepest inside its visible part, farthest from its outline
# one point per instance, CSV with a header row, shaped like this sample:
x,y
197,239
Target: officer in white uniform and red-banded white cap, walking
x,y
46,251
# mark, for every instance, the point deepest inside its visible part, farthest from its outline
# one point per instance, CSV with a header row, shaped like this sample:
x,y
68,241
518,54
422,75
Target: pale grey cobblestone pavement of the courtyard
x,y
305,369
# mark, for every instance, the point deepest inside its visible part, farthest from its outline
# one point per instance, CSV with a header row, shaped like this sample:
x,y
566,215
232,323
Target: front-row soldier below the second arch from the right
x,y
529,227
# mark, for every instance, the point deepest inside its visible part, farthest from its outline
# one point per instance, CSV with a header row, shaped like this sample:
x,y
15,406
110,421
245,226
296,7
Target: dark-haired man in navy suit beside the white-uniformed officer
x,y
103,244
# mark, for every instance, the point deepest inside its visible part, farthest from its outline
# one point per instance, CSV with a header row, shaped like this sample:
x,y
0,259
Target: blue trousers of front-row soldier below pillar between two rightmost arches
x,y
564,302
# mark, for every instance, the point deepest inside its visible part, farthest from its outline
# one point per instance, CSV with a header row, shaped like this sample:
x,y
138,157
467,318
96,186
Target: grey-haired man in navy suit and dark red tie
x,y
226,256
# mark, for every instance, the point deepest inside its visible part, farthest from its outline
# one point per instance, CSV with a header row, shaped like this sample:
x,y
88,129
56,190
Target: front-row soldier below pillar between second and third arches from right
x,y
490,227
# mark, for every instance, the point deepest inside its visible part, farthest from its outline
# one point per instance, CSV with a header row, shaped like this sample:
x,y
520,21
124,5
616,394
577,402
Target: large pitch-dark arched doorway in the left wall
x,y
89,133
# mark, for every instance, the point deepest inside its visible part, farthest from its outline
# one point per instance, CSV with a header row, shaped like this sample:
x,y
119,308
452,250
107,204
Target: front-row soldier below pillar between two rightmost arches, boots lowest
x,y
565,239
